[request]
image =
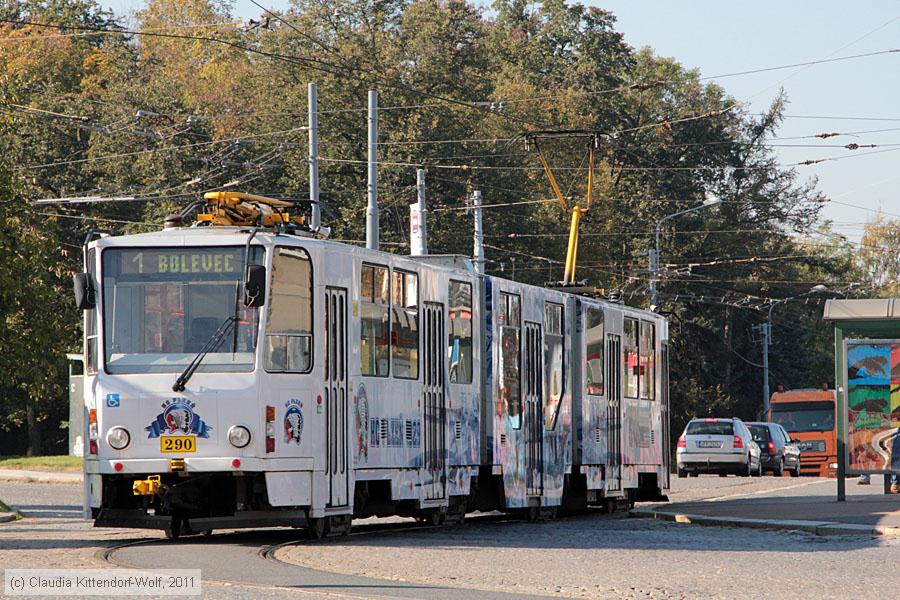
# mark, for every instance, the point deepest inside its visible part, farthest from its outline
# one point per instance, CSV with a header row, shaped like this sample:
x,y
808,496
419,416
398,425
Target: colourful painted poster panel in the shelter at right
x,y
873,405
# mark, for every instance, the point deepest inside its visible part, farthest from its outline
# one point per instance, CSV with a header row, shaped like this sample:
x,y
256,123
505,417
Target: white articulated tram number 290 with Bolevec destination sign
x,y
248,377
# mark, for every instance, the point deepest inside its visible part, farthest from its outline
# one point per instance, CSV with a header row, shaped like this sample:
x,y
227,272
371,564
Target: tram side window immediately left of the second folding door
x,y
405,325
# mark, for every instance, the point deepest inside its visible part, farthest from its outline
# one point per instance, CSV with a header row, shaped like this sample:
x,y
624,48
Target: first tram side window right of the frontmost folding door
x,y
374,343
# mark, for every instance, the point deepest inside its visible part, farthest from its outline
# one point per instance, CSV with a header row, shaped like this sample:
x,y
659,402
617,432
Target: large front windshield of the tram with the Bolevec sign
x,y
162,305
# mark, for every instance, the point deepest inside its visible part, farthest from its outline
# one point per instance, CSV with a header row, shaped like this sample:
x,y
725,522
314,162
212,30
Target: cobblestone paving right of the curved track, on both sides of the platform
x,y
609,556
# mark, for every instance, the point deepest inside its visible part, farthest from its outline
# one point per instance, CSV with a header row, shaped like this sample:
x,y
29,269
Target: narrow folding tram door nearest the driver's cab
x,y
336,467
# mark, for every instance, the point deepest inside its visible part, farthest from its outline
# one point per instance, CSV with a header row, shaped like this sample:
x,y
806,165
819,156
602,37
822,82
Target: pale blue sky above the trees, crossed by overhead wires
x,y
719,37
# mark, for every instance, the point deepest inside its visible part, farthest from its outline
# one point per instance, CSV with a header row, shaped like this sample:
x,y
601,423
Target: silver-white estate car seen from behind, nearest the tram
x,y
720,446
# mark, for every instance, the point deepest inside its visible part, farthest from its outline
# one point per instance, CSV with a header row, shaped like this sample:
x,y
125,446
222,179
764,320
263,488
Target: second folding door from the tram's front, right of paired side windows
x,y
434,390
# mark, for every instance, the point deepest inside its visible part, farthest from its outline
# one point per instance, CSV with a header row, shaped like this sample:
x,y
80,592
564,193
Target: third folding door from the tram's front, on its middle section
x,y
534,415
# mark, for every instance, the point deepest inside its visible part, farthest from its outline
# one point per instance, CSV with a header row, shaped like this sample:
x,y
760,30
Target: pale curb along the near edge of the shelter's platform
x,y
814,527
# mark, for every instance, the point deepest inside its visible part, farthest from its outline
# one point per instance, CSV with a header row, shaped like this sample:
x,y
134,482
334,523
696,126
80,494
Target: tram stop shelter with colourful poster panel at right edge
x,y
867,382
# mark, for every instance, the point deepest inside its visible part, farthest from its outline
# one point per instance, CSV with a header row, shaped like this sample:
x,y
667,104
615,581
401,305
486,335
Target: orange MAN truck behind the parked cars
x,y
808,415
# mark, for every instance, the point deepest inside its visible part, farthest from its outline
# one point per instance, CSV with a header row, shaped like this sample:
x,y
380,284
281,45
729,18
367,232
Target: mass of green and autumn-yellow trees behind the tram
x,y
168,117
